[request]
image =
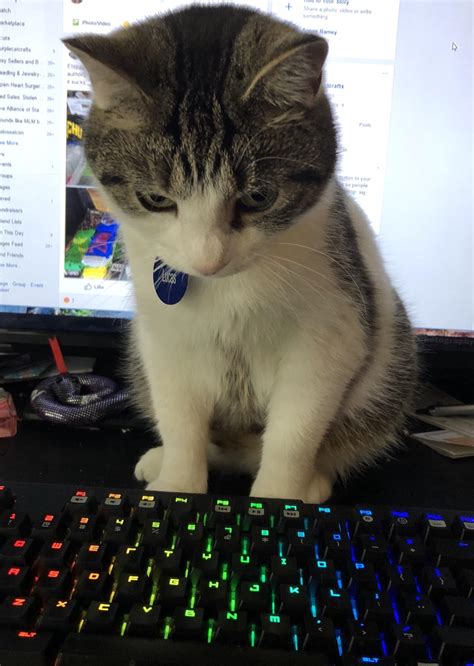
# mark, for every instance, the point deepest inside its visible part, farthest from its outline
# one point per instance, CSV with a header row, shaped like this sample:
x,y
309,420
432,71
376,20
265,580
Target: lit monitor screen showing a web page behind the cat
x,y
400,77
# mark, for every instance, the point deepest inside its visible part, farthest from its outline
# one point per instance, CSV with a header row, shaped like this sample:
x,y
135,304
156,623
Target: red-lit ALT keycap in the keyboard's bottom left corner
x,y
25,647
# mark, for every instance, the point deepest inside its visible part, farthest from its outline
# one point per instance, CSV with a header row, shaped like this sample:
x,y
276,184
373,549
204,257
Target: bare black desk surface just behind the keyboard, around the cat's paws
x,y
41,452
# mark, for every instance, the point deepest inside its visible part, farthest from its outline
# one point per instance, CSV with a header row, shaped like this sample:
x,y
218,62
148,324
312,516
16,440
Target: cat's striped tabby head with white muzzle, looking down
x,y
209,131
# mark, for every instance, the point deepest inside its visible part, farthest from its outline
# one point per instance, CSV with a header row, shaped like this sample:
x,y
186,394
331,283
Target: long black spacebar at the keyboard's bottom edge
x,y
90,650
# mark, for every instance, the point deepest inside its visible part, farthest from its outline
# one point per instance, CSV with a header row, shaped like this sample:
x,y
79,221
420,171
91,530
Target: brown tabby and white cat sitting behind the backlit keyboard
x,y
290,355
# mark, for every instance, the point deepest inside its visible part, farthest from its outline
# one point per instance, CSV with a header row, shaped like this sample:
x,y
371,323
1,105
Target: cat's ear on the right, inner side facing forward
x,y
292,77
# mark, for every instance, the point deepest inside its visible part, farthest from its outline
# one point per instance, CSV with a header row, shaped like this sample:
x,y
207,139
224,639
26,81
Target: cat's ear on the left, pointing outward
x,y
111,87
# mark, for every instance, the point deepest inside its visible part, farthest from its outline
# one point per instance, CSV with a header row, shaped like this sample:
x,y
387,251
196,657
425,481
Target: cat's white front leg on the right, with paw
x,y
307,396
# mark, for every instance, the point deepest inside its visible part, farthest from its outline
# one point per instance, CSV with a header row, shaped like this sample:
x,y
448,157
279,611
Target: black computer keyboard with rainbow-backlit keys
x,y
99,576
